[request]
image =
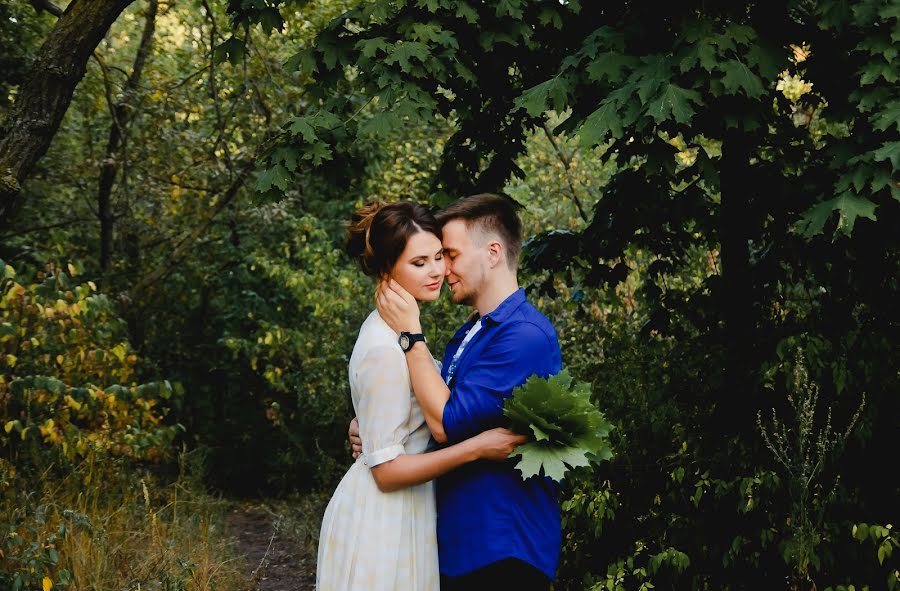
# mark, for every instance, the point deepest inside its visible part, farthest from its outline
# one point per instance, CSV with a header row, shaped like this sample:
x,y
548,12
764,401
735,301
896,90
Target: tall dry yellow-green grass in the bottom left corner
x,y
108,527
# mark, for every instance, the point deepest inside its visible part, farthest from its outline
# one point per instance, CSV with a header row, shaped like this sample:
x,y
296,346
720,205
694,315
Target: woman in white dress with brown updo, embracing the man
x,y
378,532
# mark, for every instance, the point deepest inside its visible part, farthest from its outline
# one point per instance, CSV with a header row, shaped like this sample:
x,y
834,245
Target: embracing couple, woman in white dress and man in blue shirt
x,y
388,527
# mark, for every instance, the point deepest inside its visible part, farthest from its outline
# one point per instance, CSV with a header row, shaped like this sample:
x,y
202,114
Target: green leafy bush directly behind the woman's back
x,y
293,337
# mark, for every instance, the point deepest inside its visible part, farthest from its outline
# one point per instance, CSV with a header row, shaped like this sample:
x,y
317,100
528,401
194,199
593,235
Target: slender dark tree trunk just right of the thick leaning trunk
x,y
122,115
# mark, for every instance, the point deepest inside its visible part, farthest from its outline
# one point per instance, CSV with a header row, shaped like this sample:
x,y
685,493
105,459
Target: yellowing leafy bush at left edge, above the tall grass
x,y
67,391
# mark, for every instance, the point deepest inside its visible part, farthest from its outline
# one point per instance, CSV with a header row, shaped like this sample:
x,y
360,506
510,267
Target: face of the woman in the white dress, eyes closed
x,y
420,267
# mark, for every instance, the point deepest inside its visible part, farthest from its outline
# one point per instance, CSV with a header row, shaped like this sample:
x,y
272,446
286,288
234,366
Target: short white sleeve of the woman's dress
x,y
384,404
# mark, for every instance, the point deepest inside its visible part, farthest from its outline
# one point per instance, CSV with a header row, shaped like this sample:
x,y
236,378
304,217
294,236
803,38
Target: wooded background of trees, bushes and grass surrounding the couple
x,y
711,199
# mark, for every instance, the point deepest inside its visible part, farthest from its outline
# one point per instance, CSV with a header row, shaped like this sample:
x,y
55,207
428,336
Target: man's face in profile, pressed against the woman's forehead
x,y
466,262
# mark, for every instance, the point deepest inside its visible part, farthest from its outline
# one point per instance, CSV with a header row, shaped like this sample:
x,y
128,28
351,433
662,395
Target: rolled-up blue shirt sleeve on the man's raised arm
x,y
518,351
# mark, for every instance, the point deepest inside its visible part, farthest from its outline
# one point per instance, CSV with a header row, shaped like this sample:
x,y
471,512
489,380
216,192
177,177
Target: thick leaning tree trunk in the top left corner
x,y
45,95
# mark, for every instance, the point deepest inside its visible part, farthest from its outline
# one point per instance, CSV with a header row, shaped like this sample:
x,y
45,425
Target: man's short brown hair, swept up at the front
x,y
489,213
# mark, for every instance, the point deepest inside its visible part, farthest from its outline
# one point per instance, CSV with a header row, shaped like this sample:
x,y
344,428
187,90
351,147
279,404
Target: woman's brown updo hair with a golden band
x,y
378,233
